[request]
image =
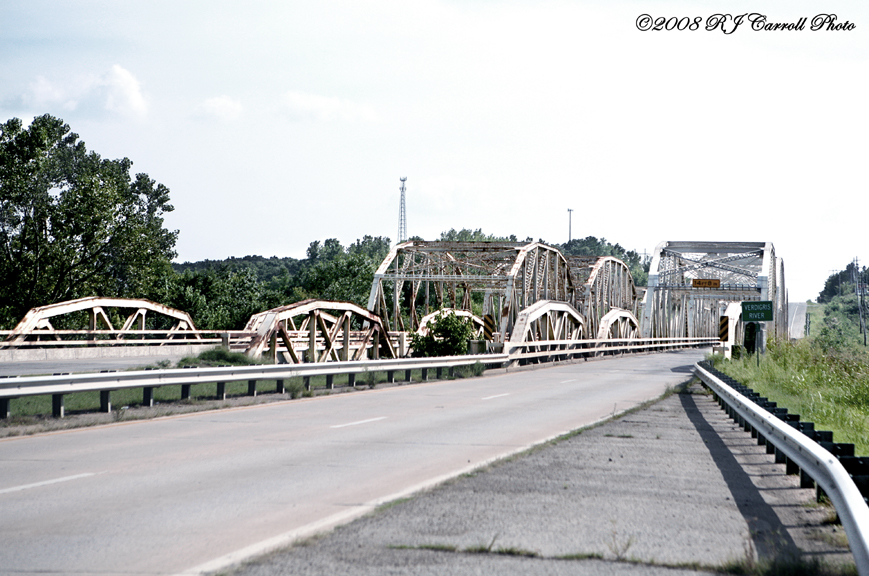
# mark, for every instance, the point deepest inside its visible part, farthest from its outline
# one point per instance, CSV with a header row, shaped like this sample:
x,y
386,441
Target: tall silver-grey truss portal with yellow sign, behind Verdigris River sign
x,y
692,283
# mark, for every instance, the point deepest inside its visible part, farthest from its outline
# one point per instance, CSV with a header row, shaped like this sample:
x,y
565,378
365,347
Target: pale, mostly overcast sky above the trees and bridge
x,y
275,124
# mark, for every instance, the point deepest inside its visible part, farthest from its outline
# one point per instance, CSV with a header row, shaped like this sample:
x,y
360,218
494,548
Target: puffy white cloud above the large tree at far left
x,y
117,91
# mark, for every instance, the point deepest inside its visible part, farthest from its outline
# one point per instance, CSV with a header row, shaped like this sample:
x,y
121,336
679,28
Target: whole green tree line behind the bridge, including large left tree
x,y
73,224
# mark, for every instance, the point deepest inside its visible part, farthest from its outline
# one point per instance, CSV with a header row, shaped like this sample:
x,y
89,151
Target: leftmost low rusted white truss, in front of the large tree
x,y
36,324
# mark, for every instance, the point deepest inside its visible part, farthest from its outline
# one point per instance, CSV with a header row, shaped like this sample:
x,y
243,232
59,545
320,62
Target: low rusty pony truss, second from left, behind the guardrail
x,y
319,331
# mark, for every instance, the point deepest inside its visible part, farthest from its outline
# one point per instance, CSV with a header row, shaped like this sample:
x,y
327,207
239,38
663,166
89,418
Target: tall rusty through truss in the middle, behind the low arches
x,y
418,277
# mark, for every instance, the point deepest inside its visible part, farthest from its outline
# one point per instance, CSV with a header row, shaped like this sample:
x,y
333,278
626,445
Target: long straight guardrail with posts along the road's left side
x,y
105,382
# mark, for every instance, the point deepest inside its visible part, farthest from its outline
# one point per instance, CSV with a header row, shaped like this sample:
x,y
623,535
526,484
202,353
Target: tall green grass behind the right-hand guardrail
x,y
829,387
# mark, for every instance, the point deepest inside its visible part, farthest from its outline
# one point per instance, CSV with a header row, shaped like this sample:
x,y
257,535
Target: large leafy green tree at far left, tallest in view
x,y
73,224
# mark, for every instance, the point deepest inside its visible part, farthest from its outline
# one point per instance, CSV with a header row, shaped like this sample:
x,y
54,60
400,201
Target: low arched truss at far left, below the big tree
x,y
37,321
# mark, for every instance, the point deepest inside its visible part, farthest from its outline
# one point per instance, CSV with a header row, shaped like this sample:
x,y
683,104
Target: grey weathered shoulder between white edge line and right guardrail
x,y
675,488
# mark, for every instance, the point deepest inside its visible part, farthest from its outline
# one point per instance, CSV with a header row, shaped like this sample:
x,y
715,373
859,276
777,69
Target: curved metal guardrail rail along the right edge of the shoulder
x,y
819,464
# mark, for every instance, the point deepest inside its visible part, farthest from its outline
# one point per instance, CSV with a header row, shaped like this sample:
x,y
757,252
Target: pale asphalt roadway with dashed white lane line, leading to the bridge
x,y
201,491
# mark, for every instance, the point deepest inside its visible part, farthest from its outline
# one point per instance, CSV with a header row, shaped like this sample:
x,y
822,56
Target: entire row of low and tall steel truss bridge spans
x,y
517,294
